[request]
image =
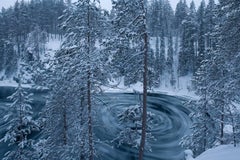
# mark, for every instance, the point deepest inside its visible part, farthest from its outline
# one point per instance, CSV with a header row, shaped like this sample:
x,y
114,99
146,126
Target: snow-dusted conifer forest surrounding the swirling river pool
x,y
137,41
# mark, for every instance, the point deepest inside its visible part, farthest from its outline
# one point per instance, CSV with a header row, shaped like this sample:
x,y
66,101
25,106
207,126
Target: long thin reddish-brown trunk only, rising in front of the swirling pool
x,y
144,114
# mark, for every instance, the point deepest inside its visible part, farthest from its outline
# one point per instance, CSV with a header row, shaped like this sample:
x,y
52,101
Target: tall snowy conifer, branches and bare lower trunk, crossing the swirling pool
x,y
131,28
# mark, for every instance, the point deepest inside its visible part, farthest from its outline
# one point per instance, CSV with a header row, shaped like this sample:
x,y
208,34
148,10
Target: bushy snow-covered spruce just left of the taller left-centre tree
x,y
63,108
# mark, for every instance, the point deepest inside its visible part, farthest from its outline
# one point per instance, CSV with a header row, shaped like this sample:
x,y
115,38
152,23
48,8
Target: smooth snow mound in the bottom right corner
x,y
224,152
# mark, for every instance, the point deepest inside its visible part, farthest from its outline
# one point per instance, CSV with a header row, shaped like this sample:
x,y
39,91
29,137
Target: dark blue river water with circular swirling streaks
x,y
170,117
